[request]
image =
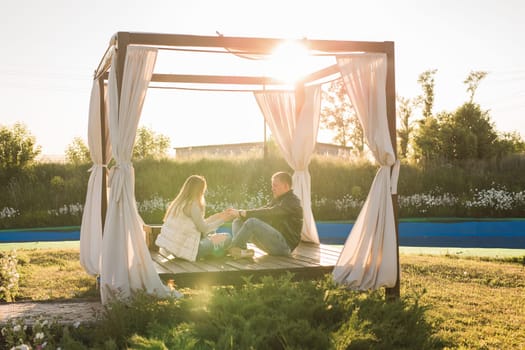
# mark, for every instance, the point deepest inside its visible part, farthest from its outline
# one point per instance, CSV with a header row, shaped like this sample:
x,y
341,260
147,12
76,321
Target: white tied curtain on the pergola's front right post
x,y
369,257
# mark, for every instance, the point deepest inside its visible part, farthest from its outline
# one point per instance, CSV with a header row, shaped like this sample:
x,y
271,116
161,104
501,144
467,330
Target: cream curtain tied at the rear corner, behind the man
x,y
296,135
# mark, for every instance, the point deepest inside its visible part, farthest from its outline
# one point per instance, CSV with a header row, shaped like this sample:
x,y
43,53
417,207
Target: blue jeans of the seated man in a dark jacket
x,y
264,236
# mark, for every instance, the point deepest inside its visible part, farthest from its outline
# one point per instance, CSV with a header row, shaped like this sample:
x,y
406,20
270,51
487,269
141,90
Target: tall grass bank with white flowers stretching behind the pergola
x,y
48,195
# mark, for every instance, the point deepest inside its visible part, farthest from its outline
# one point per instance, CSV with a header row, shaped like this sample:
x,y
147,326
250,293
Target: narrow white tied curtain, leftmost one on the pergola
x,y
91,228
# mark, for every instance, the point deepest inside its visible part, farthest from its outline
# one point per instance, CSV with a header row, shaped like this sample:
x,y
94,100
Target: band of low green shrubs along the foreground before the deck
x,y
277,313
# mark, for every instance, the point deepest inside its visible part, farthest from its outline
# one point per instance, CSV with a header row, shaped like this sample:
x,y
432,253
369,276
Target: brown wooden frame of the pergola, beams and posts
x,y
244,46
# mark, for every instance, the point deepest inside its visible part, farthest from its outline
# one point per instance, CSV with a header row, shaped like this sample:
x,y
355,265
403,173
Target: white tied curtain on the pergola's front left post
x,y
126,263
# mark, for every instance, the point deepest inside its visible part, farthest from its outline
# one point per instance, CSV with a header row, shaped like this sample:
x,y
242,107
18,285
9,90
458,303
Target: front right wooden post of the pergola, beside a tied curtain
x,y
394,292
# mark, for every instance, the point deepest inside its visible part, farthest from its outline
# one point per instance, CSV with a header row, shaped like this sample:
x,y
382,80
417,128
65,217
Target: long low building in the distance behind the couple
x,y
255,148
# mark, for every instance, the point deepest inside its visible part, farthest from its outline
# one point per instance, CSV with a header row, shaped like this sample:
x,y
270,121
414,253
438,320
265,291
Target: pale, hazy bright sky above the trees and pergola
x,y
50,49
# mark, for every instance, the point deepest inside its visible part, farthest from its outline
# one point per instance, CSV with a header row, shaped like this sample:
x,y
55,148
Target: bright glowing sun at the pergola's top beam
x,y
288,62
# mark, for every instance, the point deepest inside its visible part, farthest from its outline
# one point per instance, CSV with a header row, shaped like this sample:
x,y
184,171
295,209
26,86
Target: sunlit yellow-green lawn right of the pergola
x,y
475,304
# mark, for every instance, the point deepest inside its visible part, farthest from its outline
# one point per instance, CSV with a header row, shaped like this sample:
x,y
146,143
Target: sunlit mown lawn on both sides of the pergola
x,y
471,302
